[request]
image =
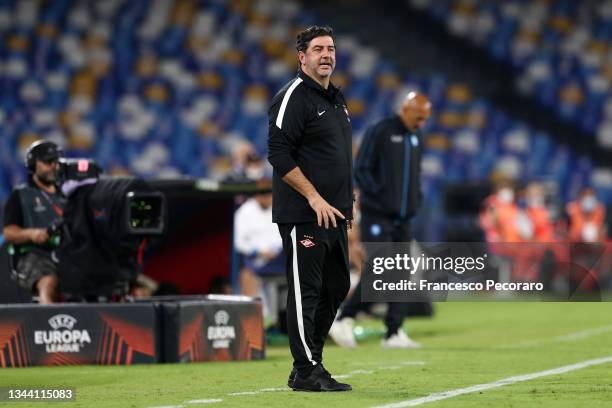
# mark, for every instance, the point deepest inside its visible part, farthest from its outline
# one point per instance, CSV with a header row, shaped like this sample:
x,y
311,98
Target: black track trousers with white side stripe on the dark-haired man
x,y
318,276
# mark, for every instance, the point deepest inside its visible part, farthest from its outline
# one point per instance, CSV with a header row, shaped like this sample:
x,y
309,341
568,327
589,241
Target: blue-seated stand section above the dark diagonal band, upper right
x,y
559,50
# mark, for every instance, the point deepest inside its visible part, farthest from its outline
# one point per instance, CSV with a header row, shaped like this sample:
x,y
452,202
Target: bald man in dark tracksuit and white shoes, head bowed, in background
x,y
387,172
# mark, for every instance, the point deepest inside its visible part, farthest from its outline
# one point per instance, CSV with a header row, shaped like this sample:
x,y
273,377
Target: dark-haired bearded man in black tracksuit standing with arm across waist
x,y
310,149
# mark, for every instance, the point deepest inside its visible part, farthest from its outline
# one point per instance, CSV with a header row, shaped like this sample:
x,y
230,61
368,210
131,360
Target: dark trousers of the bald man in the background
x,y
376,228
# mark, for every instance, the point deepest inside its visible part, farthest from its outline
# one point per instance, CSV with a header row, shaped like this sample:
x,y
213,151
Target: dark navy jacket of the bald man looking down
x,y
388,169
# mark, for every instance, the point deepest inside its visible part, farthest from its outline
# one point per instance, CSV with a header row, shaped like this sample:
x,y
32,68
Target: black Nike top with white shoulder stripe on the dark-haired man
x,y
309,127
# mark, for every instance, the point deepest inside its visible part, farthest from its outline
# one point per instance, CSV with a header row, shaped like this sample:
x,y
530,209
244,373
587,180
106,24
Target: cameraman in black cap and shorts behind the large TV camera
x,y
32,210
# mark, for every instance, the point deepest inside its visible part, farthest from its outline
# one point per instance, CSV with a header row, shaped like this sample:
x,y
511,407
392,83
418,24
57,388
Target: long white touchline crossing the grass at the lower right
x,y
500,383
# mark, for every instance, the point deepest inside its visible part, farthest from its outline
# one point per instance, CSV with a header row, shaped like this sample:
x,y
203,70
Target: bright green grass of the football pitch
x,y
464,344
